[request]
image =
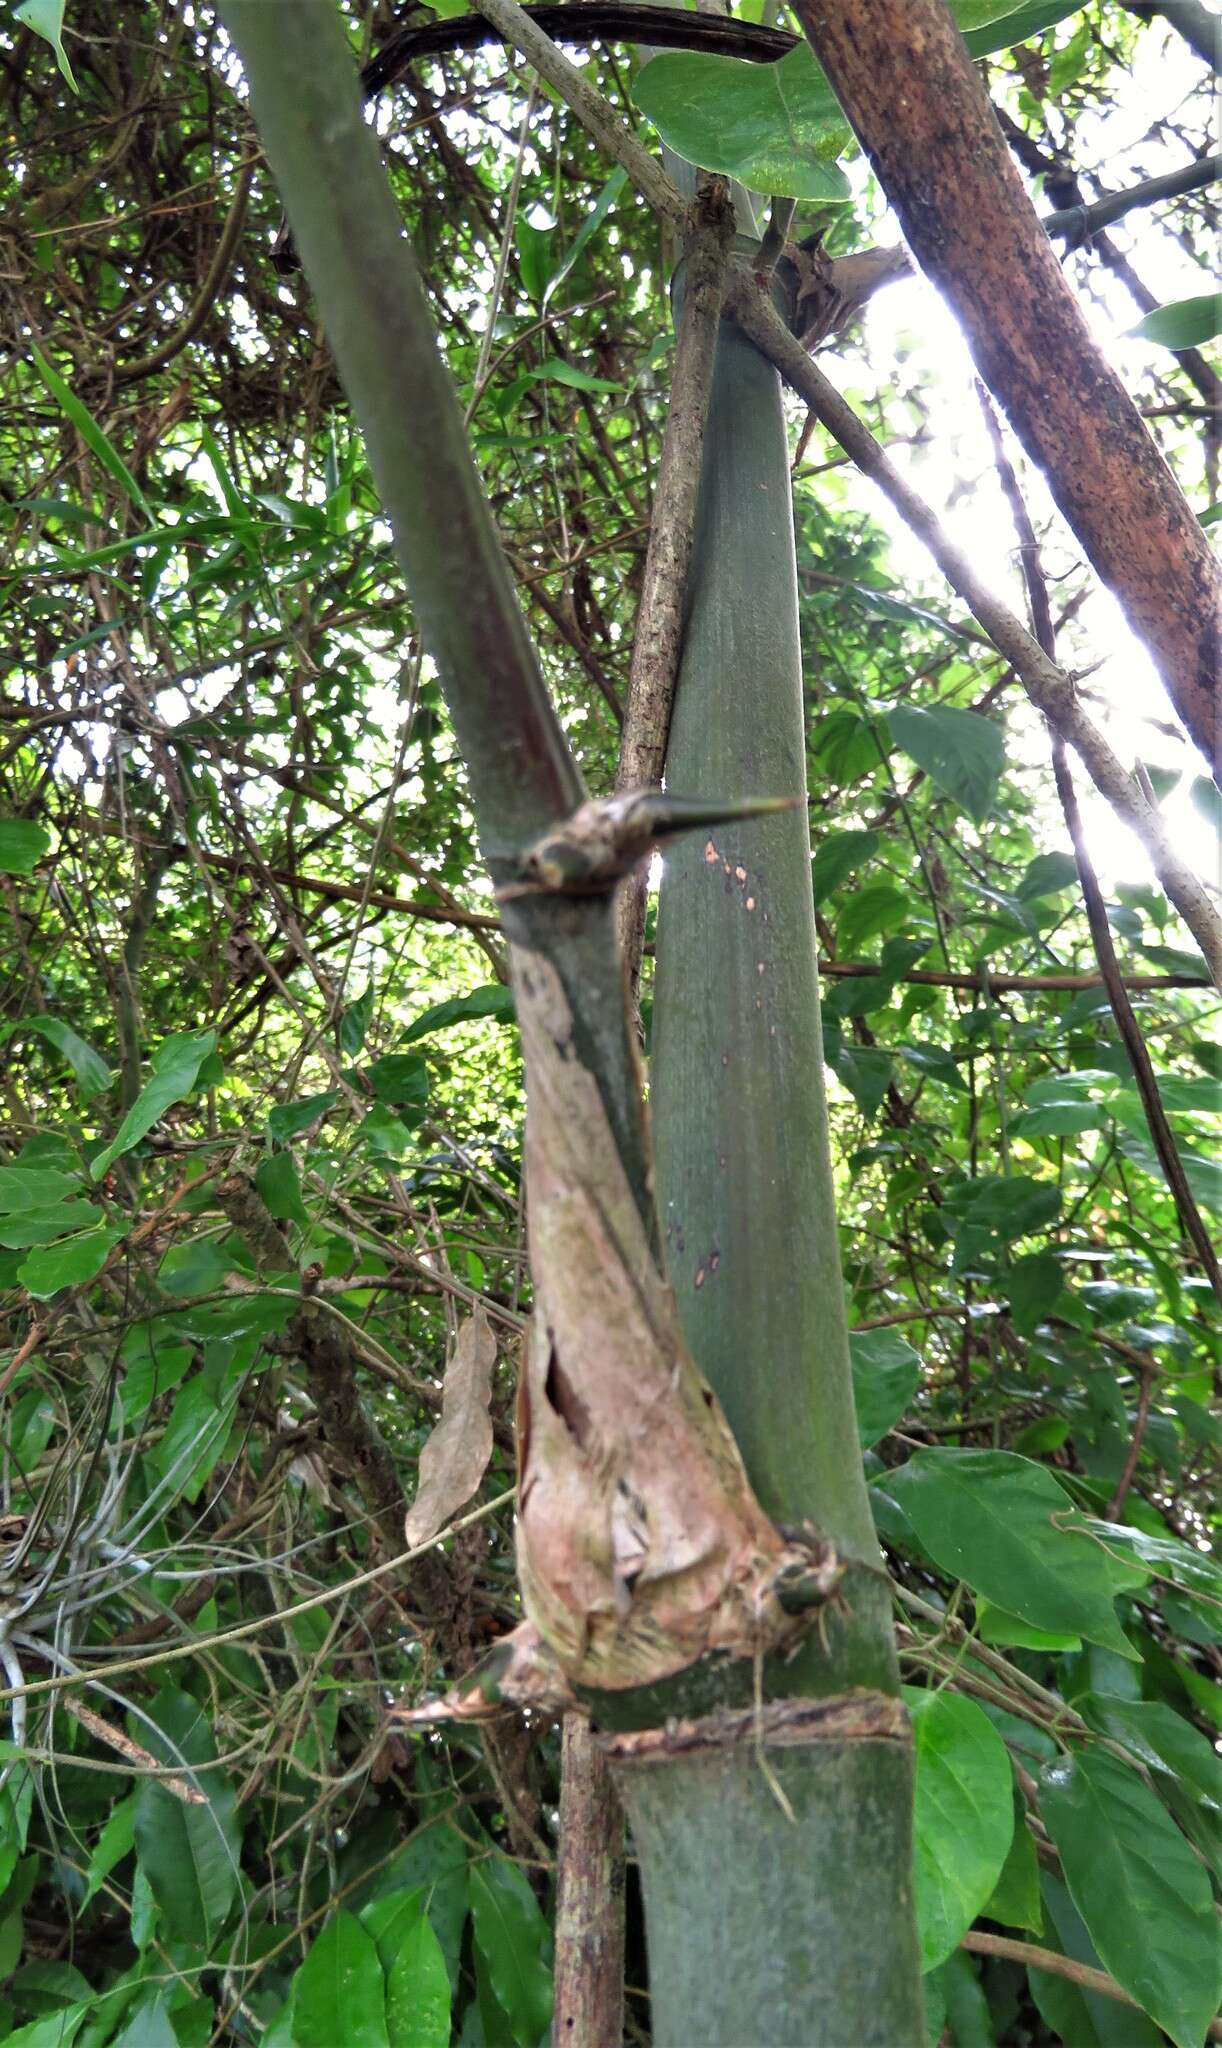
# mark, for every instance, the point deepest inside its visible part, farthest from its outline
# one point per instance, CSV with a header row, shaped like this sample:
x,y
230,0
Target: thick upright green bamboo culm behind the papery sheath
x,y
777,1873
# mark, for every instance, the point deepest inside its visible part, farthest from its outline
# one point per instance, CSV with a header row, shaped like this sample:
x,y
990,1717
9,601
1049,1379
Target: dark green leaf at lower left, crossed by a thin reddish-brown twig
x,y
189,1854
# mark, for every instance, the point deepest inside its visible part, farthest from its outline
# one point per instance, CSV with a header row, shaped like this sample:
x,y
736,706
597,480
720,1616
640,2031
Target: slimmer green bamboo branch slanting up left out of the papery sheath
x,y
306,99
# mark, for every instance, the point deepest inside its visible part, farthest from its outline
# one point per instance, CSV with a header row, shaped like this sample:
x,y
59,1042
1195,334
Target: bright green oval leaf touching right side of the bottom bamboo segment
x,y
963,1816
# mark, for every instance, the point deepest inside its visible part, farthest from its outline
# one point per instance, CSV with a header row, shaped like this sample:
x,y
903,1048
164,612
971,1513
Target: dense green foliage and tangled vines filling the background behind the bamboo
x,y
265,1105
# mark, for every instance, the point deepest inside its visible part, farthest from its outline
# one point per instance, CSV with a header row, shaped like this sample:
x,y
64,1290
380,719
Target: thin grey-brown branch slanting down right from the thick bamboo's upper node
x,y
1049,687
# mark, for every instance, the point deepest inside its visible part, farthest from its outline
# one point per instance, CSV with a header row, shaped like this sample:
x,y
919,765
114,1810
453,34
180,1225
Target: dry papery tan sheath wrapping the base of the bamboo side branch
x,y
640,1541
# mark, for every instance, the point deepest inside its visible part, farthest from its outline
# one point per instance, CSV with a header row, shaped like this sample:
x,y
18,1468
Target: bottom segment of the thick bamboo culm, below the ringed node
x,y
777,1928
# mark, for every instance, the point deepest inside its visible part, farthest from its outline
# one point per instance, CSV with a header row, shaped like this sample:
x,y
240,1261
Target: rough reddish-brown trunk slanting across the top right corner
x,y
922,116
